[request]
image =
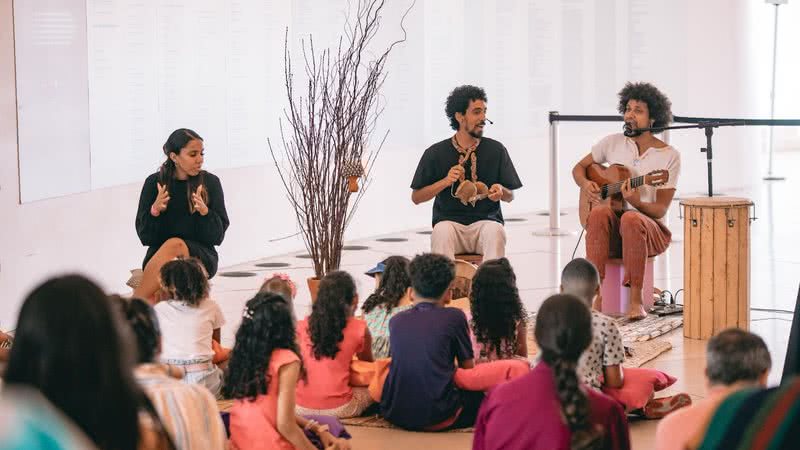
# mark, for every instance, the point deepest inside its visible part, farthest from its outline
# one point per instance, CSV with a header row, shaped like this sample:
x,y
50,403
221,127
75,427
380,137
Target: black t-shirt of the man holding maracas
x,y
494,166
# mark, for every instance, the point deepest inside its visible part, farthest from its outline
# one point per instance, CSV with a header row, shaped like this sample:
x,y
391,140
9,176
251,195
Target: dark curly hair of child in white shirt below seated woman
x,y
185,279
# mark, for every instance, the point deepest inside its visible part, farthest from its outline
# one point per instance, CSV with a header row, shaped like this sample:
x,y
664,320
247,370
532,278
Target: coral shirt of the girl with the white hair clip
x,y
254,423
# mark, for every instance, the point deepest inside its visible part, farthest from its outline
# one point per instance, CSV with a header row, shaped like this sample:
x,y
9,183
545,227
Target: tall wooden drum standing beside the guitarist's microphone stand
x,y
716,265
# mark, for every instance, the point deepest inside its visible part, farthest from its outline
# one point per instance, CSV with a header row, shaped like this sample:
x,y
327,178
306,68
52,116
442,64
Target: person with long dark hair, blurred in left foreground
x,y
84,368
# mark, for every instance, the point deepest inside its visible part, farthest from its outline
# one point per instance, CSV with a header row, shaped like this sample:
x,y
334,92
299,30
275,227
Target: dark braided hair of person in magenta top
x,y
563,332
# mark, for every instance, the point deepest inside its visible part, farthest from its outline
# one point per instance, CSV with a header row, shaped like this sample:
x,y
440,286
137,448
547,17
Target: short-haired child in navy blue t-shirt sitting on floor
x,y
419,392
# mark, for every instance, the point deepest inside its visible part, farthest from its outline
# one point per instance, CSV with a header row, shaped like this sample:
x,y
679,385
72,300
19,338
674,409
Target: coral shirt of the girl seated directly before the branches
x,y
328,385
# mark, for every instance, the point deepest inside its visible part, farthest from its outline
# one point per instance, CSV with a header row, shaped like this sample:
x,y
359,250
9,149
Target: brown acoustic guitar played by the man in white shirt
x,y
610,179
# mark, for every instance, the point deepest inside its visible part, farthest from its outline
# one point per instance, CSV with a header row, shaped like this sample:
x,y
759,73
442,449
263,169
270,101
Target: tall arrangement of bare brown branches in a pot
x,y
326,132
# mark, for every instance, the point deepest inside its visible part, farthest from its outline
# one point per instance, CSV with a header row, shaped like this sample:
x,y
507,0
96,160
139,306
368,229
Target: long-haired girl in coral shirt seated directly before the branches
x,y
329,338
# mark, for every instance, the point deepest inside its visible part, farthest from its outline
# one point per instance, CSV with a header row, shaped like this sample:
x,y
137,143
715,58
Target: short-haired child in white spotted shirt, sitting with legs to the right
x,y
600,366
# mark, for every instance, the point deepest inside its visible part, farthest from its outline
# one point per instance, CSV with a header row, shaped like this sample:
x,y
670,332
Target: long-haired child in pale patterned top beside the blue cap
x,y
392,296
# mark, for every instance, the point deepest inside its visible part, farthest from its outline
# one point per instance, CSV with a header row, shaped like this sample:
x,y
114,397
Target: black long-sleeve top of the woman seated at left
x,y
201,233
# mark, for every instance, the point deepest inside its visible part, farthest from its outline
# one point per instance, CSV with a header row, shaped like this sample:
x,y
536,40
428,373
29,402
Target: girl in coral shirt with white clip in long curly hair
x,y
264,368
